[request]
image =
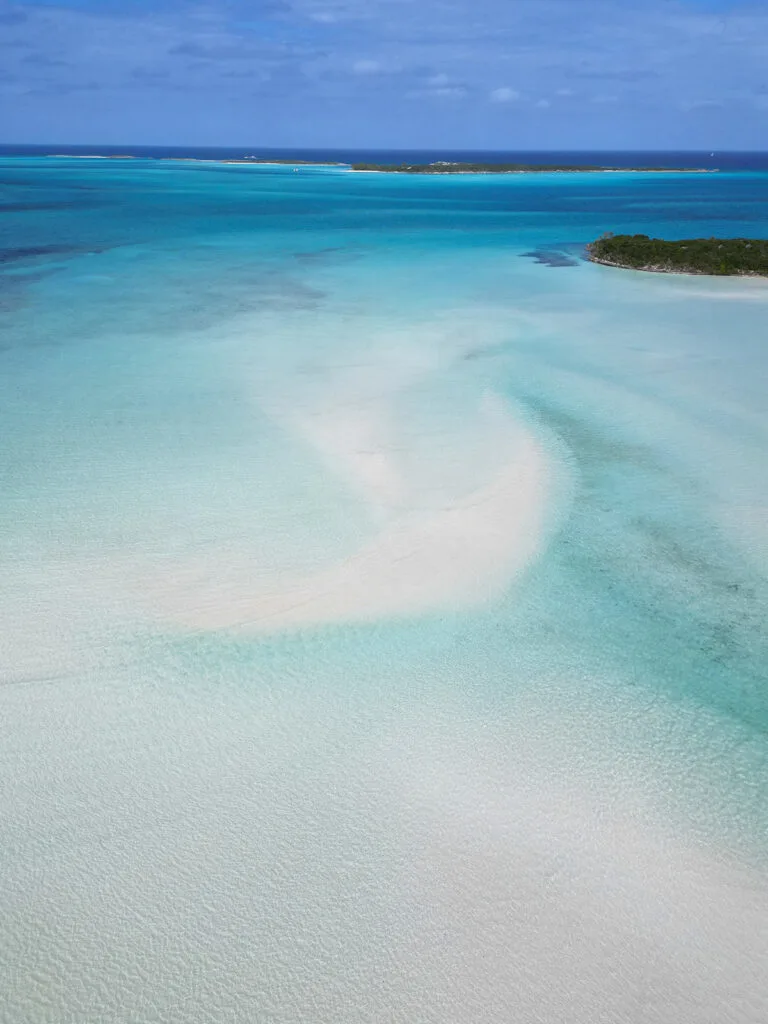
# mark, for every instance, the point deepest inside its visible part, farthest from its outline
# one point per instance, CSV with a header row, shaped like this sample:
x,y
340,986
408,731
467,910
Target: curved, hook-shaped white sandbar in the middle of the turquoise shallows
x,y
436,547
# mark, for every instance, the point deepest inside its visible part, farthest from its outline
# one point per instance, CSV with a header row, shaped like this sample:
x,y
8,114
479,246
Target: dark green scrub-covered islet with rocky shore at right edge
x,y
724,258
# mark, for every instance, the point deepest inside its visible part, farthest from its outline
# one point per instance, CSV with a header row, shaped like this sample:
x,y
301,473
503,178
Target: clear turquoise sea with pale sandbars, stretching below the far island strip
x,y
385,606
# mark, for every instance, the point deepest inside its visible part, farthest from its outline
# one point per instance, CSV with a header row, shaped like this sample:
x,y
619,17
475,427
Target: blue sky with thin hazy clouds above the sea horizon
x,y
488,74
